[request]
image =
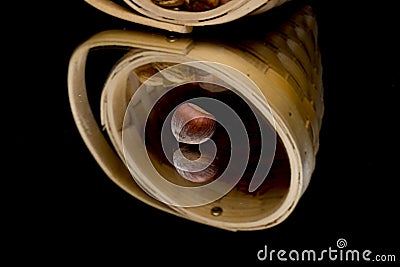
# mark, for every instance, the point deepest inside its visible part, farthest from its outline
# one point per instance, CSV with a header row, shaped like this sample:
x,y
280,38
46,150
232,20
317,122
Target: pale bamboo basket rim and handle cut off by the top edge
x,y
147,13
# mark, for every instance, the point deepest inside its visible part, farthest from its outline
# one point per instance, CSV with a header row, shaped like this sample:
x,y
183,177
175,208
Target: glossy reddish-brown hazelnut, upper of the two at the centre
x,y
191,124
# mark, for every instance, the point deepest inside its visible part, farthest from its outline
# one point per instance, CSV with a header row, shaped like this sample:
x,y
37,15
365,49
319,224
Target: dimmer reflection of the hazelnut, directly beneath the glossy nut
x,y
193,166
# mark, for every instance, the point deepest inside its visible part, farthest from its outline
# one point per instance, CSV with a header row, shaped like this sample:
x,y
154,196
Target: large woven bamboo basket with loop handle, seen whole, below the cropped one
x,y
283,65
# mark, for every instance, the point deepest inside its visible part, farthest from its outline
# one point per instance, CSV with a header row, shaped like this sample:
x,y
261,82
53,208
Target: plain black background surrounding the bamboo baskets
x,y
66,210
